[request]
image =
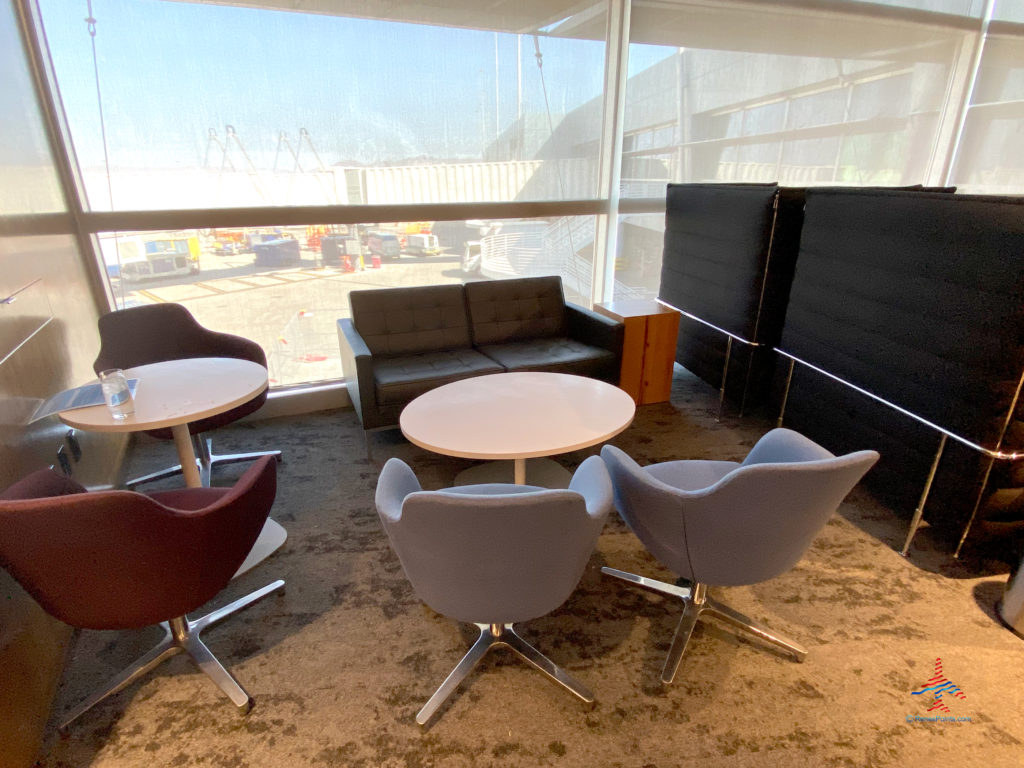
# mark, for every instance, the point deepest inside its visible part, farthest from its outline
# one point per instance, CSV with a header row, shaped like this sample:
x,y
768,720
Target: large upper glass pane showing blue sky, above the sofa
x,y
244,107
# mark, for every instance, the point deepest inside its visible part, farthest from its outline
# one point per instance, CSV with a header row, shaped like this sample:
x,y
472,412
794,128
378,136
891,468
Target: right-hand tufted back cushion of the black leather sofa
x,y
504,311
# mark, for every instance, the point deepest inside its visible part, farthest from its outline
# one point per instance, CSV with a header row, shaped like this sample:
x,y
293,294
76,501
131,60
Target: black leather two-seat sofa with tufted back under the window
x,y
402,343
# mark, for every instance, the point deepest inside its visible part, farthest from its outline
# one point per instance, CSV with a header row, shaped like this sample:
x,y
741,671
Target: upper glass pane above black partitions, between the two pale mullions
x,y
847,101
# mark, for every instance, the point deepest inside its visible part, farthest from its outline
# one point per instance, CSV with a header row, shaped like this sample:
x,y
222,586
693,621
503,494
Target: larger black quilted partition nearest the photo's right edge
x,y
918,298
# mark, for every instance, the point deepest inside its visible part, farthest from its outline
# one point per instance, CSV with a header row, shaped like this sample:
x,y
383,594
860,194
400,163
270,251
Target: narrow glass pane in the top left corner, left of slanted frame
x,y
30,183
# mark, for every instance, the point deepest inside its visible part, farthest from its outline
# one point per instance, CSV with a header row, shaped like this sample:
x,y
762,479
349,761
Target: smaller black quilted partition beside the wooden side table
x,y
730,251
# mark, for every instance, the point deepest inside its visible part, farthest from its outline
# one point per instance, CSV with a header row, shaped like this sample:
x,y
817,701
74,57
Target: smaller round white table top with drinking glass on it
x,y
178,393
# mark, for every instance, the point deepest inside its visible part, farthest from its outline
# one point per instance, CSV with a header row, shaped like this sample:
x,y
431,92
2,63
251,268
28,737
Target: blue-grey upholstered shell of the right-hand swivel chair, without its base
x,y
751,526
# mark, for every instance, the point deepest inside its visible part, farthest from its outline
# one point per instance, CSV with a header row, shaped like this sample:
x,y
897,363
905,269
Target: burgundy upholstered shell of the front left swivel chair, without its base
x,y
118,560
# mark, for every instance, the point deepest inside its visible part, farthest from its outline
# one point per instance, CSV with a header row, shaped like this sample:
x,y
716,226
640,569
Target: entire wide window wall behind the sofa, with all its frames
x,y
517,133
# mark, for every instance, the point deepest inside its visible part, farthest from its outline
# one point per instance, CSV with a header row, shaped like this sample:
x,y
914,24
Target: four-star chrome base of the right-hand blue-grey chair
x,y
697,603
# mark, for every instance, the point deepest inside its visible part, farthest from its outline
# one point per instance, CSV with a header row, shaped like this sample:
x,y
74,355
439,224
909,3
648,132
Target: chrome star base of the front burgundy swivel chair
x,y
184,637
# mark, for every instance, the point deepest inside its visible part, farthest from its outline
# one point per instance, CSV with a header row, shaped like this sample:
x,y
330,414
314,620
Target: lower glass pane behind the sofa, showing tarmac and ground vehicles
x,y
286,287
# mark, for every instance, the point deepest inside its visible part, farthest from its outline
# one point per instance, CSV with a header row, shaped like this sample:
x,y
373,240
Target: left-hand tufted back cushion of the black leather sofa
x,y
408,321
